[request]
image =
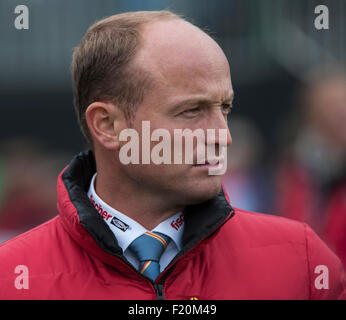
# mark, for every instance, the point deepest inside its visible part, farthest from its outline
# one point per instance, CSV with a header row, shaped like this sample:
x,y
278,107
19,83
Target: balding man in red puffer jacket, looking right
x,y
114,218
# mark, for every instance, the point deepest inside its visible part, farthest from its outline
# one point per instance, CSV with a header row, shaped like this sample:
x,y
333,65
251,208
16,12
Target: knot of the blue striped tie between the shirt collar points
x,y
149,246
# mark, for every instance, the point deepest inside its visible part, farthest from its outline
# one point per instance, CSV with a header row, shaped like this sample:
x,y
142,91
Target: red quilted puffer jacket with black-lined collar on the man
x,y
227,254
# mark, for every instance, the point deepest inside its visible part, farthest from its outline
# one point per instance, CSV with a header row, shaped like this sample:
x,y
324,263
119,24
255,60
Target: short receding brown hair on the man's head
x,y
101,69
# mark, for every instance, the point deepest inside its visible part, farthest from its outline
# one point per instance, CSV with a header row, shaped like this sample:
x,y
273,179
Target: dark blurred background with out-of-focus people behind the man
x,y
288,123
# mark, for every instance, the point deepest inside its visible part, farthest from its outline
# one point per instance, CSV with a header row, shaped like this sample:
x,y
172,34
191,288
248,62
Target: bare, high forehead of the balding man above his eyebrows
x,y
181,56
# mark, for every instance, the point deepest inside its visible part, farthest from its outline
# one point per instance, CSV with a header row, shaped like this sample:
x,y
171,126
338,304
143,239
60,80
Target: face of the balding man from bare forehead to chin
x,y
192,89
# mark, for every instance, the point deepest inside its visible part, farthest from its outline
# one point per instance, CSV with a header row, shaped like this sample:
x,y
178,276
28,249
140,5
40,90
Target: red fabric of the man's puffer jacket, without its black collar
x,y
252,256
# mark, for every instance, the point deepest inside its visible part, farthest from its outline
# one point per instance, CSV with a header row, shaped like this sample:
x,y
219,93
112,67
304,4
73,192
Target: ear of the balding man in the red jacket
x,y
105,121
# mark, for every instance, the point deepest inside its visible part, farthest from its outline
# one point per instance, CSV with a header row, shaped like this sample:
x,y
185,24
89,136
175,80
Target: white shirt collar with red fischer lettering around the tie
x,y
126,229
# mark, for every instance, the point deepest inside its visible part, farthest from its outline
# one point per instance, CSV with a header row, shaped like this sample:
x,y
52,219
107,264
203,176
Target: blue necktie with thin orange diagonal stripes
x,y
148,248
